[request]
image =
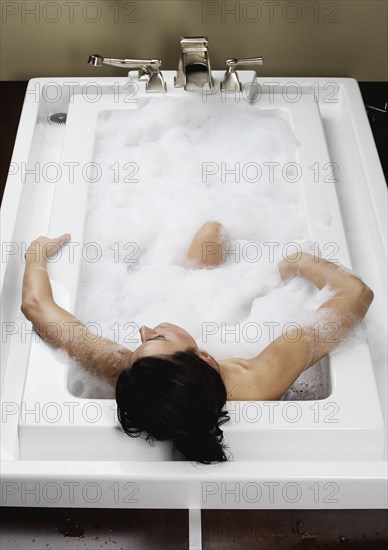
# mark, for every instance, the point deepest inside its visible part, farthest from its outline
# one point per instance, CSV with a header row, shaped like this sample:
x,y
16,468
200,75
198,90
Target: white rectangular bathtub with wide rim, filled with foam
x,y
63,451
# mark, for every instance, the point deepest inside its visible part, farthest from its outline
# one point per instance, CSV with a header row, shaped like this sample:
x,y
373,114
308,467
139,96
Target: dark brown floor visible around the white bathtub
x,y
70,529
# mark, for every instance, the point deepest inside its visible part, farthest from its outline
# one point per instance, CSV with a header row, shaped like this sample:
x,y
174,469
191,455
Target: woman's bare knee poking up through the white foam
x,y
206,249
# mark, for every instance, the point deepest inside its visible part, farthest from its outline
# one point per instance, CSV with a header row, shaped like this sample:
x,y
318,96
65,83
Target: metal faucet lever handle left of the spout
x,y
149,69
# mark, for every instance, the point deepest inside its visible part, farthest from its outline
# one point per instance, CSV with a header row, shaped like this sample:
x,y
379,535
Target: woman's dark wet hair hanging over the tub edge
x,y
176,397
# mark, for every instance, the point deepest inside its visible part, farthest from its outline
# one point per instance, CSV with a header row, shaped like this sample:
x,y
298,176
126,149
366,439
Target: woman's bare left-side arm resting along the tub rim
x,y
60,328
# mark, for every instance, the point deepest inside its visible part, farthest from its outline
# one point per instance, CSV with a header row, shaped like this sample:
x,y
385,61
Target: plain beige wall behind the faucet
x,y
344,38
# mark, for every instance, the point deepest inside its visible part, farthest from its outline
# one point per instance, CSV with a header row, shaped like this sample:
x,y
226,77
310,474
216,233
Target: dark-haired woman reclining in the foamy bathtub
x,y
170,388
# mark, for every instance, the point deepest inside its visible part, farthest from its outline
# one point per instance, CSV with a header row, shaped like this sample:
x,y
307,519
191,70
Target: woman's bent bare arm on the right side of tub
x,y
279,365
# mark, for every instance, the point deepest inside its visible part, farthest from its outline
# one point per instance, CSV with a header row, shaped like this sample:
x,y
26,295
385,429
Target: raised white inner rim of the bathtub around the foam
x,y
344,433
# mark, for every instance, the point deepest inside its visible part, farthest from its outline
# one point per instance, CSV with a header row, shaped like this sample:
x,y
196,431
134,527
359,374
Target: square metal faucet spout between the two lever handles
x,y
194,64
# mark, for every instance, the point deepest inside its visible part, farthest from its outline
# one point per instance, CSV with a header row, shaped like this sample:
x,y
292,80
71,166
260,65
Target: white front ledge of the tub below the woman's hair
x,y
360,485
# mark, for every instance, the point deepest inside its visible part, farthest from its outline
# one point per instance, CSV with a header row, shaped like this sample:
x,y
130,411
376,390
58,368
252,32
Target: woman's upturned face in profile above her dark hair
x,y
164,339
